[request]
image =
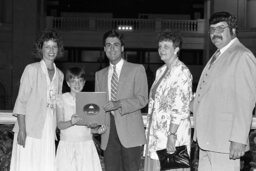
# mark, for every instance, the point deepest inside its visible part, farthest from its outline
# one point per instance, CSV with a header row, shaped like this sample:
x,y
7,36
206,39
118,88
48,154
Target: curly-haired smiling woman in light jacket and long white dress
x,y
41,82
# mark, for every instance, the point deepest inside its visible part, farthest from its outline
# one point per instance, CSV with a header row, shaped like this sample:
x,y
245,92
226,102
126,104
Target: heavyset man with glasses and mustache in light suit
x,y
225,98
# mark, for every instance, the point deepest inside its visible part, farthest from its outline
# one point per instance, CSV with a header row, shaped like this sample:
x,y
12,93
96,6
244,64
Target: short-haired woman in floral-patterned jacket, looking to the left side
x,y
169,100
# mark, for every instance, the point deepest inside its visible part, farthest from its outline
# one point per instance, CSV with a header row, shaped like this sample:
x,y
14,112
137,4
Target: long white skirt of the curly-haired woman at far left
x,y
38,154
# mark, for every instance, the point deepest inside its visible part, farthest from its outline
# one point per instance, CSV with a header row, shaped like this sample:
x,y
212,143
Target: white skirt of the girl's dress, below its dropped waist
x,y
77,156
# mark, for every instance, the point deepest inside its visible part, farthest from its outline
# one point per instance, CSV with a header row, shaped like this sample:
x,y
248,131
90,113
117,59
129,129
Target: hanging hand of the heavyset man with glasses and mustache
x,y
236,150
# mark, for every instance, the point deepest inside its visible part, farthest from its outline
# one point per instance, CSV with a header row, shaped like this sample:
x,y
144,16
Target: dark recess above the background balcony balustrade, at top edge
x,y
128,8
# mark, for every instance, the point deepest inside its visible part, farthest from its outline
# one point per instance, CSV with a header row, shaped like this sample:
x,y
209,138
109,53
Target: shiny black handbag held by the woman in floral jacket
x,y
178,159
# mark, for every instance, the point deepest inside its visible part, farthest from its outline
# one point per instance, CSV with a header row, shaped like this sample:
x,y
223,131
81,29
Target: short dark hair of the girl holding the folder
x,y
74,72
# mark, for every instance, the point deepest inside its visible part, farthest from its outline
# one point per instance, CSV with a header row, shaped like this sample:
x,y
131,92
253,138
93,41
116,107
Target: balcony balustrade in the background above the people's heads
x,y
138,25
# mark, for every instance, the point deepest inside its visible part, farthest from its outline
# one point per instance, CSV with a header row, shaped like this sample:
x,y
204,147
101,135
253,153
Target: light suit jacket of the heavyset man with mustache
x,y
225,99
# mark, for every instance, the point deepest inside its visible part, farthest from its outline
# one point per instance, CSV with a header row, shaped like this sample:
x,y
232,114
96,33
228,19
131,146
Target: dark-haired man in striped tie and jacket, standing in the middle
x,y
127,89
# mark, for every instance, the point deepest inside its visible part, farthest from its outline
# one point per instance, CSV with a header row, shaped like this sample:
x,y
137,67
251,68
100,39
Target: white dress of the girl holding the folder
x,y
76,150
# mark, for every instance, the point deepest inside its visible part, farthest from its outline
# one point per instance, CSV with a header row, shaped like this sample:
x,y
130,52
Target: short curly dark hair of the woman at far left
x,y
47,35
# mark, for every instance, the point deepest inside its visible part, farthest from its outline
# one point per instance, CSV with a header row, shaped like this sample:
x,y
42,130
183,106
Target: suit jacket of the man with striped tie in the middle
x,y
133,95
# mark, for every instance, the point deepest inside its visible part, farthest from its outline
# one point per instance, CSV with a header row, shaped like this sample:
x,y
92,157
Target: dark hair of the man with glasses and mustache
x,y
224,16
